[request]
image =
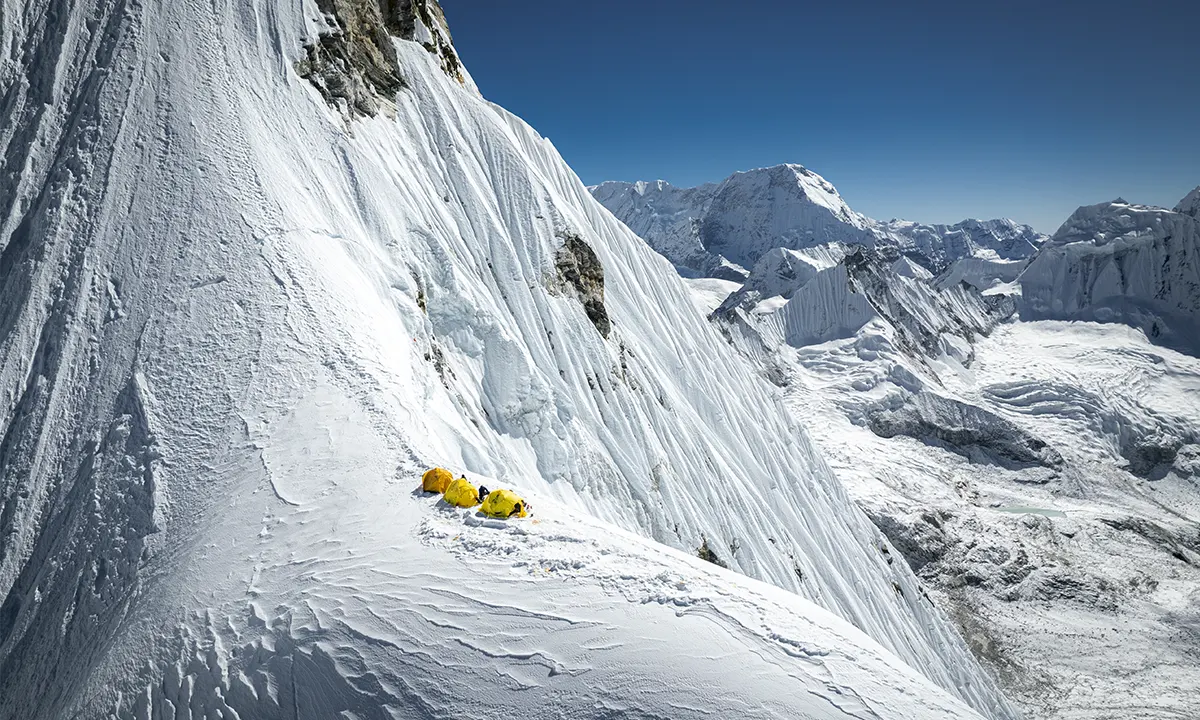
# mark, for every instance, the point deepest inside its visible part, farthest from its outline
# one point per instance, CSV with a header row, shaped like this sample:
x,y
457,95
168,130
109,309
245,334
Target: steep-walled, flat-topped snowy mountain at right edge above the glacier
x,y
1118,262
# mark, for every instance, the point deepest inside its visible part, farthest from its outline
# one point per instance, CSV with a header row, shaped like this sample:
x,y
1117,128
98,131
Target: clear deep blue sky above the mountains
x,y
929,111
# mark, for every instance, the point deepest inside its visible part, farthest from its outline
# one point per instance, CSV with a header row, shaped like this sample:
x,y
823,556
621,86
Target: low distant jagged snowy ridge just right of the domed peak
x,y
983,239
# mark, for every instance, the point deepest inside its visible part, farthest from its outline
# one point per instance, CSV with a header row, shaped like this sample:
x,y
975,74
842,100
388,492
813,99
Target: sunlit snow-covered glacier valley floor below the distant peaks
x,y
1081,585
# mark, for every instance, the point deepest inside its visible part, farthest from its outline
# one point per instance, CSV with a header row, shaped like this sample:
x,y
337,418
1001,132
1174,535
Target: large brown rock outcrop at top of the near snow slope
x,y
353,61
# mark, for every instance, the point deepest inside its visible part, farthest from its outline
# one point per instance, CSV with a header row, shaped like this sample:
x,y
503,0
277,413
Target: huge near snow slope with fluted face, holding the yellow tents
x,y
236,326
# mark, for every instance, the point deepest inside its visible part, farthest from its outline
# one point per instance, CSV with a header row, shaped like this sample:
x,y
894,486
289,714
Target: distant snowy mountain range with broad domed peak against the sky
x,y
705,230
